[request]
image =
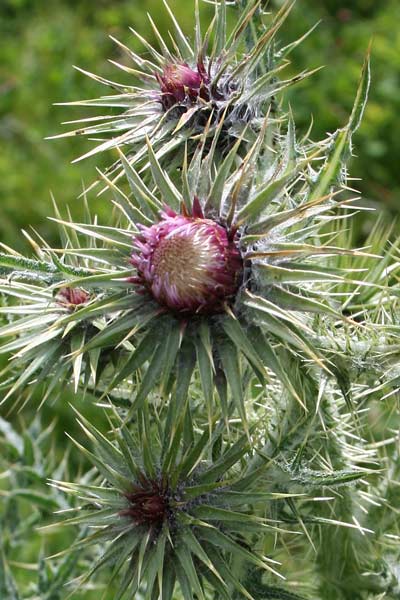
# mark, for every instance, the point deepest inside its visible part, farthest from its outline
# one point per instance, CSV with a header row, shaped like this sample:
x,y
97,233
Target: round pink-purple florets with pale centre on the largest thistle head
x,y
188,264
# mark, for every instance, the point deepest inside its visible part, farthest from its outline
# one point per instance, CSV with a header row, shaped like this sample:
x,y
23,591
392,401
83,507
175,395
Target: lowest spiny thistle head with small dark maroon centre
x,y
167,517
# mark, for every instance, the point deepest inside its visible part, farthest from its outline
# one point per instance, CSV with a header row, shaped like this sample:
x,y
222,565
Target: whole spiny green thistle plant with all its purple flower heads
x,y
238,356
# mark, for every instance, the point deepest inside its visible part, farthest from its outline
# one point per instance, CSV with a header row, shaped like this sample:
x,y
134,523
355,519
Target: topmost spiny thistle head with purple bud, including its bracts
x,y
224,86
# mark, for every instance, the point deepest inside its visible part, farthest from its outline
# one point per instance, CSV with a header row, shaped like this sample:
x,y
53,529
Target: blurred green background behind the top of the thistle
x,y
41,40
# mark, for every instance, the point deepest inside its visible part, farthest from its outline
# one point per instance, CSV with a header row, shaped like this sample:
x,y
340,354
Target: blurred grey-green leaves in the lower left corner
x,y
31,454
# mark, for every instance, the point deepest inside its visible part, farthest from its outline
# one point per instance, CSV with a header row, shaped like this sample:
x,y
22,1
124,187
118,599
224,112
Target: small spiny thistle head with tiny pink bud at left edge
x,y
46,345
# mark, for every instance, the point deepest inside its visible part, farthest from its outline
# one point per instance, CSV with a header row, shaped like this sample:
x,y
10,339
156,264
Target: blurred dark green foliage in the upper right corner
x,y
340,42
